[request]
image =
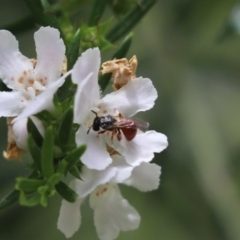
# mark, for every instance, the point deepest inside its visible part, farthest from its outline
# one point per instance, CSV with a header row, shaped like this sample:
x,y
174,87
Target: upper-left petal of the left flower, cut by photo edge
x,y
12,62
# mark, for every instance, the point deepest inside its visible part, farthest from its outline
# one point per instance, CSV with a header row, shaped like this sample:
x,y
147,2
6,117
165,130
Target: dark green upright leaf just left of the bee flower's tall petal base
x,y
65,129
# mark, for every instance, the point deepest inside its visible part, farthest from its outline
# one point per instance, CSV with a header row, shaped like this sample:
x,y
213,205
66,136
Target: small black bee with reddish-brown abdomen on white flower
x,y
116,125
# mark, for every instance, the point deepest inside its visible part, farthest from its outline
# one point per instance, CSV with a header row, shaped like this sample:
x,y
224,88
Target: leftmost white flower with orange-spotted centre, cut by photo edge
x,y
33,84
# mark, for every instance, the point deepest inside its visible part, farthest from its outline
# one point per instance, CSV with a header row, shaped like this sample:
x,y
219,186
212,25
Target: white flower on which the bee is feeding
x,y
138,95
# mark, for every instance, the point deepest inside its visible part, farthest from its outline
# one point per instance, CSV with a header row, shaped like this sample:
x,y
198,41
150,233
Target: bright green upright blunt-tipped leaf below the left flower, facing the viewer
x,y
47,153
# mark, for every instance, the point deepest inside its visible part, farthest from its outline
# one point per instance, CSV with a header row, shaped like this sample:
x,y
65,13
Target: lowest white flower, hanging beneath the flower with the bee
x,y
112,213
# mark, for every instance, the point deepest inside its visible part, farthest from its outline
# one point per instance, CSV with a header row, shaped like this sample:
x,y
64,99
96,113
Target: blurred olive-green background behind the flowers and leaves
x,y
180,45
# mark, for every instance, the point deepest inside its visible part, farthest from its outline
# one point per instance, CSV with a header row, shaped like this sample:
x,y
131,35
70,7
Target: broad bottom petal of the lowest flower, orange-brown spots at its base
x,y
112,213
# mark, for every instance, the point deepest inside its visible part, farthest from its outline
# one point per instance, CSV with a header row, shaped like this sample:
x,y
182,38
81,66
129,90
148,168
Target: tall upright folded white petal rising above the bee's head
x,y
85,74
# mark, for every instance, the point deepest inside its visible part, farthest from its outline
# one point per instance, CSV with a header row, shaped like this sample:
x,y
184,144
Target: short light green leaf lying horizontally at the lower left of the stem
x,y
28,185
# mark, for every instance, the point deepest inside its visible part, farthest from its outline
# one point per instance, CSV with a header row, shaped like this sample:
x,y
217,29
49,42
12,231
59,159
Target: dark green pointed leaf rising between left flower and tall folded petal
x,y
73,49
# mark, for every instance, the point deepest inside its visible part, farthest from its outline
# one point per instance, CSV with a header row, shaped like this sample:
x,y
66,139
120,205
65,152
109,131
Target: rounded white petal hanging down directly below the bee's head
x,y
96,155
